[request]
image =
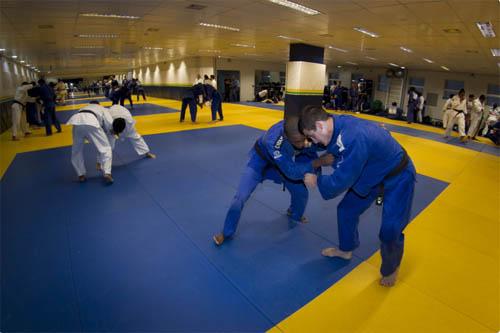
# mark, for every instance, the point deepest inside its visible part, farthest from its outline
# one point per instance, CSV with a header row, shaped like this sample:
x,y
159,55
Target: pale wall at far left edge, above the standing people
x,y
11,76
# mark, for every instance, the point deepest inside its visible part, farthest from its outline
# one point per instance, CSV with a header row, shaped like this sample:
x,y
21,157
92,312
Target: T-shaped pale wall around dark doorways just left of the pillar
x,y
247,70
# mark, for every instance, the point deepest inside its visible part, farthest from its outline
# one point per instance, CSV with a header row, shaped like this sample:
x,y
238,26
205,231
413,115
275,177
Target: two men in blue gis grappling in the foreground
x,y
367,161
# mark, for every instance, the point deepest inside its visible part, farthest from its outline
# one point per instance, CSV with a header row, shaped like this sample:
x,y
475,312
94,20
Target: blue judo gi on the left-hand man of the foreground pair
x,y
276,164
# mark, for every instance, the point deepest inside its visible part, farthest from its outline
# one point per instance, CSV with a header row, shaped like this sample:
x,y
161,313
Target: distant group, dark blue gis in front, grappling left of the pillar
x,y
203,92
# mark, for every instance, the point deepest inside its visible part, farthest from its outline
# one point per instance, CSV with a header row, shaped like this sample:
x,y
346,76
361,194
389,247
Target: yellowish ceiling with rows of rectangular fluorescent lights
x,y
45,33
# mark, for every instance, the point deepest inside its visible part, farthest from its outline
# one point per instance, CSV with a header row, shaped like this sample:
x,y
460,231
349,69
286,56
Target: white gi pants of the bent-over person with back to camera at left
x,y
97,137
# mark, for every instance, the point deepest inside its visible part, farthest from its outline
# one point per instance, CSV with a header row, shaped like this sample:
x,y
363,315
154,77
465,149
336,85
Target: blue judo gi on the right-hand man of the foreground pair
x,y
366,157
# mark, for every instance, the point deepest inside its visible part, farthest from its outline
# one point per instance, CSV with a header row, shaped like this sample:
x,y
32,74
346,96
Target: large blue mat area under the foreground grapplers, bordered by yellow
x,y
138,255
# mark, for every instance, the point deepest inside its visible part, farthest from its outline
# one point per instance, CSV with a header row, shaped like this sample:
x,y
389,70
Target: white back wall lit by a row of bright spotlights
x,y
181,72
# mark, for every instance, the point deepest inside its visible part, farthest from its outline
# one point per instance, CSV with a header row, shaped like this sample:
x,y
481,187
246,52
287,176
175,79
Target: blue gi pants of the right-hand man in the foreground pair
x,y
398,197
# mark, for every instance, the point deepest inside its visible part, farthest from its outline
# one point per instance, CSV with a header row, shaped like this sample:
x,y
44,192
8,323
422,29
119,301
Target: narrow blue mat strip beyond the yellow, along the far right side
x,y
477,146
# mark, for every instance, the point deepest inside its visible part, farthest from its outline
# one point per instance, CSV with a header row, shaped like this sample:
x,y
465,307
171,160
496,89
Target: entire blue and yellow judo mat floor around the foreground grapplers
x,y
138,256
